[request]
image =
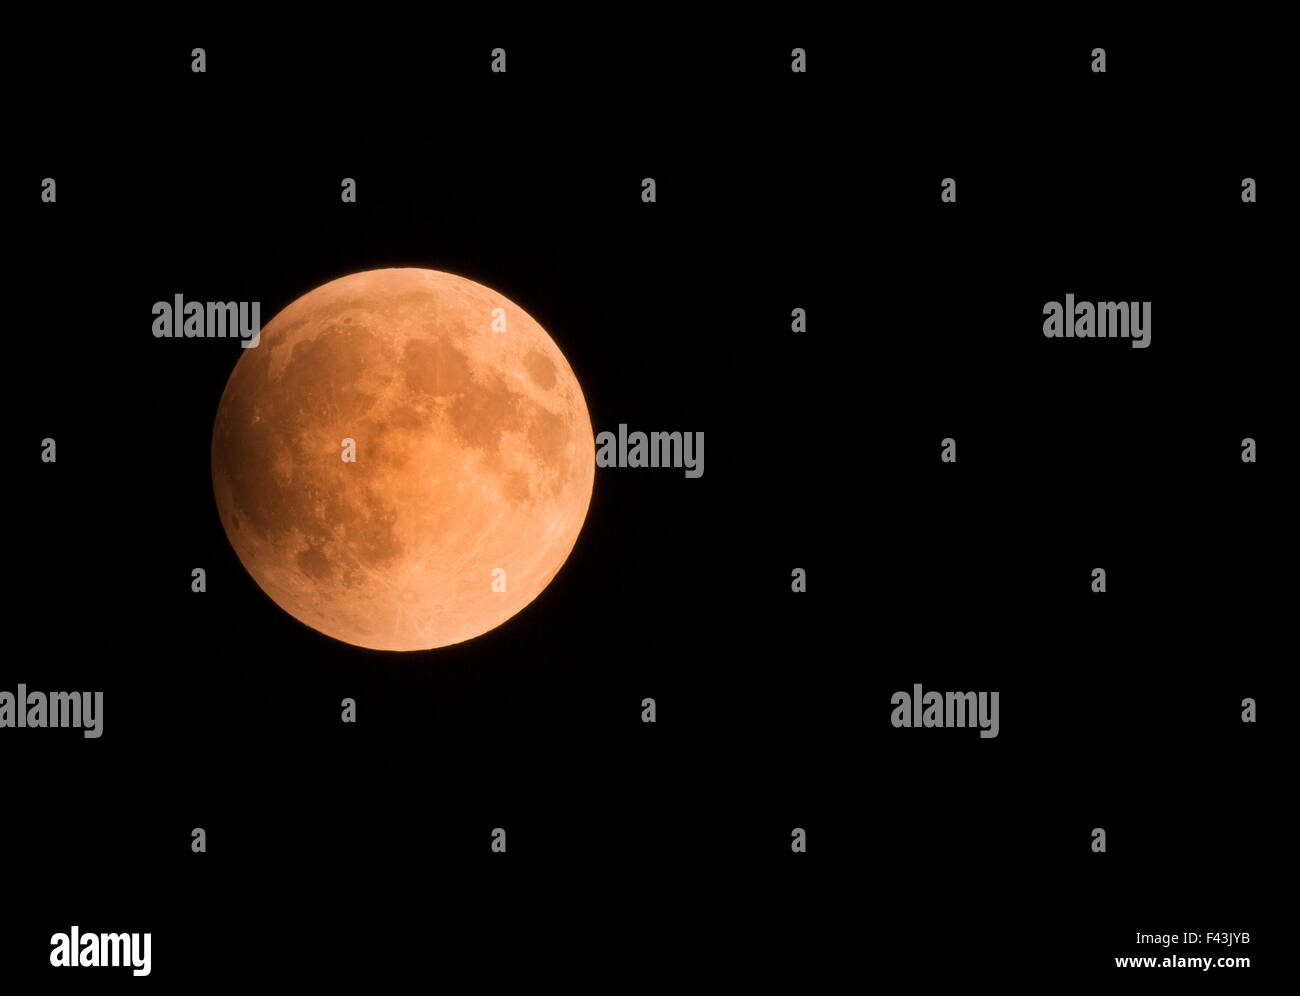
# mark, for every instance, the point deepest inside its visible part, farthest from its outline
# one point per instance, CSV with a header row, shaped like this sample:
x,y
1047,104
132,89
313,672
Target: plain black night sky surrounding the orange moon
x,y
636,851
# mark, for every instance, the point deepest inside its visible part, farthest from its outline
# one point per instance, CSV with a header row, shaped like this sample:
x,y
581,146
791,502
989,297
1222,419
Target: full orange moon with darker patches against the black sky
x,y
474,460
